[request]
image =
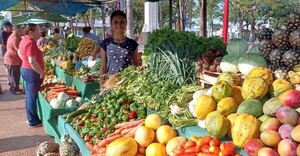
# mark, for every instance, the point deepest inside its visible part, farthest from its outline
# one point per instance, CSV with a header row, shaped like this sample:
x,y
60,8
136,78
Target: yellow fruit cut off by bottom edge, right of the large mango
x,y
156,149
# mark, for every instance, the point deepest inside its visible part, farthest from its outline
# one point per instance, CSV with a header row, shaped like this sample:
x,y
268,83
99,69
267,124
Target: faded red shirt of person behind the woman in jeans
x,y
11,56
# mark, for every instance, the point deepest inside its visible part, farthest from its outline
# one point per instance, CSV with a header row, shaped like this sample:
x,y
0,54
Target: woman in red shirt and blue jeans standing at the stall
x,y
32,71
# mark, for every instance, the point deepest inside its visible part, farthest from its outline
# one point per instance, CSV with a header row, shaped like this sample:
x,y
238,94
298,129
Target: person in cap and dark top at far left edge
x,y
7,31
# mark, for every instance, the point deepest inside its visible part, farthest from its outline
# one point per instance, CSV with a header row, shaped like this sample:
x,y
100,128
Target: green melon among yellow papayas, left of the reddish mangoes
x,y
252,107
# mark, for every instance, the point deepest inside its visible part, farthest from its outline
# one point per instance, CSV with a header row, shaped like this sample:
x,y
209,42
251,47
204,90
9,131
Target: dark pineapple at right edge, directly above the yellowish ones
x,y
291,58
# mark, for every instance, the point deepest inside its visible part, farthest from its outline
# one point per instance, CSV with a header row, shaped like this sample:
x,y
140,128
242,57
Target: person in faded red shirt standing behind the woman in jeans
x,y
12,60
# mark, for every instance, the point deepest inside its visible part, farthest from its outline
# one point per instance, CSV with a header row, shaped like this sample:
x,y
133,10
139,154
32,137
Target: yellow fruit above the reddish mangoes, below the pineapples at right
x,y
279,86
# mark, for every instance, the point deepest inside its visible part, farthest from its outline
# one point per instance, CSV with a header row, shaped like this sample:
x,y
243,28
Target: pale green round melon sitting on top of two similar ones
x,y
237,47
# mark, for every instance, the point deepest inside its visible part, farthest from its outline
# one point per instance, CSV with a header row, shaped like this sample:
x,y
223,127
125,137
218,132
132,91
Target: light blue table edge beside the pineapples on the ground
x,y
66,128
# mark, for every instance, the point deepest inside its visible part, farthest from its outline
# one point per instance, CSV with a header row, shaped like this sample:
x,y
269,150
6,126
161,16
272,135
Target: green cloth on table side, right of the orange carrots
x,y
86,89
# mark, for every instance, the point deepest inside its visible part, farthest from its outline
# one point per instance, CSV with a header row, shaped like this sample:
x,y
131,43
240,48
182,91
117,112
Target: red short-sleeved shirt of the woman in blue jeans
x,y
27,48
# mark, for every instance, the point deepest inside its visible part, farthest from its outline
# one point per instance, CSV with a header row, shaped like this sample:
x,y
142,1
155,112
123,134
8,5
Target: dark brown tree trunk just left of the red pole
x,y
203,17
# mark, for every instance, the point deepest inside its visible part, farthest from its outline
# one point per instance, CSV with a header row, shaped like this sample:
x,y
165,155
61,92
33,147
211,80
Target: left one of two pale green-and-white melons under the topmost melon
x,y
229,63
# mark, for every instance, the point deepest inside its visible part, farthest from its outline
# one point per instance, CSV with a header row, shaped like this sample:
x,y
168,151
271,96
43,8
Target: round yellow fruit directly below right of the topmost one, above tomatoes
x,y
165,133
